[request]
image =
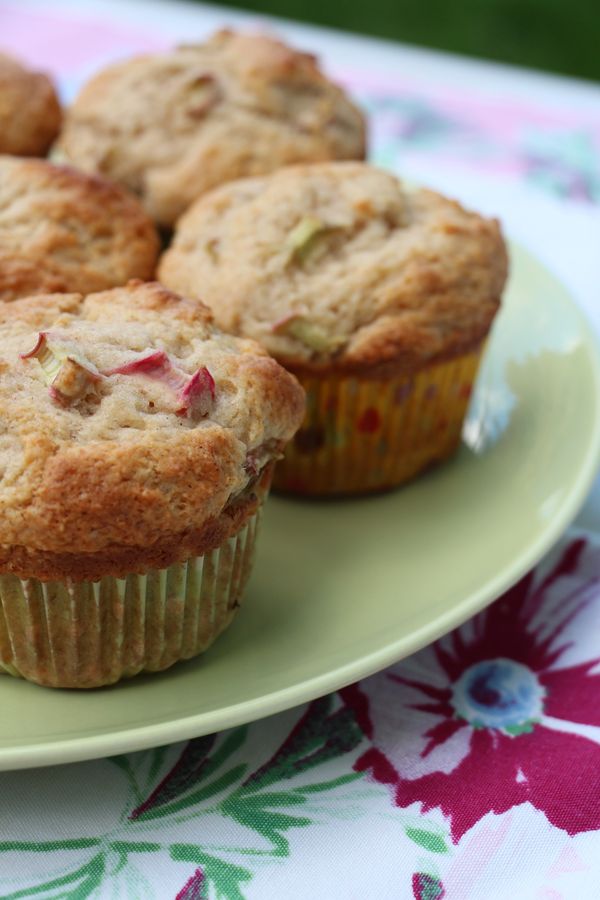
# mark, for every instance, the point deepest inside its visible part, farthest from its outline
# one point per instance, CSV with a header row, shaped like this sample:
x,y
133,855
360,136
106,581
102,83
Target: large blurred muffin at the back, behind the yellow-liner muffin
x,y
172,126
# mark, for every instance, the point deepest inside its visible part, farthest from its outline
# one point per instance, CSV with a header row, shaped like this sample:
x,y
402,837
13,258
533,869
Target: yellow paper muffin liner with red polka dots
x,y
363,435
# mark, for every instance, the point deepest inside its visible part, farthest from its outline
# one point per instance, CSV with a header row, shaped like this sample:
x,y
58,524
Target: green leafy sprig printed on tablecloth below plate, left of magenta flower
x,y
268,803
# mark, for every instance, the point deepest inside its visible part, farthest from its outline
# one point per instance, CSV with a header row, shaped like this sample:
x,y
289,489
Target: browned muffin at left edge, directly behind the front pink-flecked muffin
x,y
61,230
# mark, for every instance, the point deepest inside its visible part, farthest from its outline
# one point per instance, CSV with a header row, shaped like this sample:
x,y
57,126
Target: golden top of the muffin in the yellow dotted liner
x,y
340,265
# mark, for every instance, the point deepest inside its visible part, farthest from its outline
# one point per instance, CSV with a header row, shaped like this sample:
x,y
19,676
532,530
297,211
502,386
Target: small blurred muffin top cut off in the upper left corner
x,y
30,113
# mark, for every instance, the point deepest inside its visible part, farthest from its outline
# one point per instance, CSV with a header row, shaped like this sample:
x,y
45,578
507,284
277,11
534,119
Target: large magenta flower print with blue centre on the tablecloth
x,y
487,719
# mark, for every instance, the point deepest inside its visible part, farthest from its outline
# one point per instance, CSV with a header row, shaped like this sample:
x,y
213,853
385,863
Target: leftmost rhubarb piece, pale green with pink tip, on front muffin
x,y
68,374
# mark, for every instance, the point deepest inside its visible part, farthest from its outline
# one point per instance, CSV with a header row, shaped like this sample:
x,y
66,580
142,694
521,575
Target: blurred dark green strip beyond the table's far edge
x,y
556,35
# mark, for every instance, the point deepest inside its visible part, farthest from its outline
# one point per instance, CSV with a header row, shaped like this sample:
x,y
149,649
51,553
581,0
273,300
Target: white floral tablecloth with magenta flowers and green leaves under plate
x,y
470,770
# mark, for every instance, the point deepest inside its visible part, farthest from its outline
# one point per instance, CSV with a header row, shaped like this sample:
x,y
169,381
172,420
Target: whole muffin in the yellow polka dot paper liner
x,y
378,297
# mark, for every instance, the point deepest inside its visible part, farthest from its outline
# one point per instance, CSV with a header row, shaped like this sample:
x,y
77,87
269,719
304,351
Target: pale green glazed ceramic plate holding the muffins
x,y
342,589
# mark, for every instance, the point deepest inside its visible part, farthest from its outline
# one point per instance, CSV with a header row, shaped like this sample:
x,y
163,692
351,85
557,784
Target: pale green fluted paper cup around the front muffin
x,y
88,634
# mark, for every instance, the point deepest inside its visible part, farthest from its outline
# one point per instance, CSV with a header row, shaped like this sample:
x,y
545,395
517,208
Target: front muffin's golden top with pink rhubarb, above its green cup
x,y
131,430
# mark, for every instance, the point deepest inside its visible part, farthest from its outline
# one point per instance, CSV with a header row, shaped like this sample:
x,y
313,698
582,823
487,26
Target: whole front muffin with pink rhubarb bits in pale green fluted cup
x,y
136,445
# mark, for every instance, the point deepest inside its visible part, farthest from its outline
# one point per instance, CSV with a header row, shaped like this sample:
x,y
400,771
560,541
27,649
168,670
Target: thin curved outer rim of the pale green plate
x,y
80,749
